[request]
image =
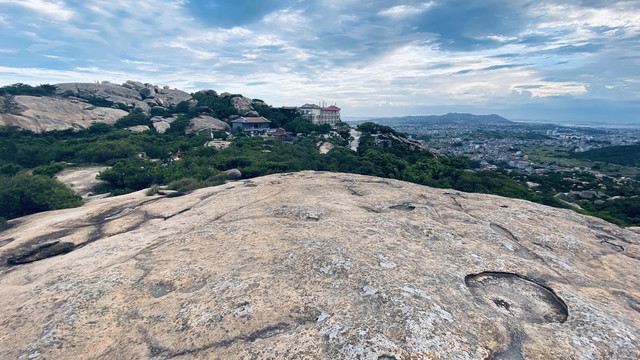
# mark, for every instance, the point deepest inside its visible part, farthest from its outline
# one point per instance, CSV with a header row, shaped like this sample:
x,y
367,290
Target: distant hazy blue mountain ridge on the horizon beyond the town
x,y
450,118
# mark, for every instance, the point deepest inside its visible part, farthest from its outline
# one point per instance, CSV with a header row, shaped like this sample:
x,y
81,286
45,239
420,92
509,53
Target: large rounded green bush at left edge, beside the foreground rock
x,y
24,194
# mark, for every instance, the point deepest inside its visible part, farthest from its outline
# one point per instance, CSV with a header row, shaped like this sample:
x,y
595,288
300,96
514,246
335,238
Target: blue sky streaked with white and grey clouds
x,y
559,60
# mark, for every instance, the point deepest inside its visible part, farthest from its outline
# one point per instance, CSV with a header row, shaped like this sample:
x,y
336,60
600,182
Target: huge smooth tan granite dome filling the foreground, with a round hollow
x,y
320,265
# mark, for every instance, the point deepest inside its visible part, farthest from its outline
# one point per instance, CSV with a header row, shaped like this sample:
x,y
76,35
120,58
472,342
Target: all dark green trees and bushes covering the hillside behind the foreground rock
x,y
29,160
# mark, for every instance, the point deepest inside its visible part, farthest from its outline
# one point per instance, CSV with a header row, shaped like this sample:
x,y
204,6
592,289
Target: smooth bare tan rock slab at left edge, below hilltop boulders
x,y
48,113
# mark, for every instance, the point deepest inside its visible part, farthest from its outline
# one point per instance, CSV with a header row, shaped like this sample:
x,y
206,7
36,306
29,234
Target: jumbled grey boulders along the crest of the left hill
x,y
134,94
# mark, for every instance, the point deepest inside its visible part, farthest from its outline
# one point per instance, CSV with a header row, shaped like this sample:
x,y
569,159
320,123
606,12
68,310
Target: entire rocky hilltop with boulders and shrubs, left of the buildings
x,y
79,105
